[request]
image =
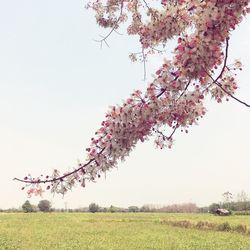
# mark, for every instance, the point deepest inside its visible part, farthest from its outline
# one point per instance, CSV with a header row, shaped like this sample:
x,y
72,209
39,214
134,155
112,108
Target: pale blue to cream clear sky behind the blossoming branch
x,y
56,85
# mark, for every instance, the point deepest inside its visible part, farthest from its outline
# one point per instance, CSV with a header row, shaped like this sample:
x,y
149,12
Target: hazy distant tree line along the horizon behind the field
x,y
238,205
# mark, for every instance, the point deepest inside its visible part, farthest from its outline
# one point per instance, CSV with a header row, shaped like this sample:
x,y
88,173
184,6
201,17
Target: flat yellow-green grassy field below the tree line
x,y
123,231
